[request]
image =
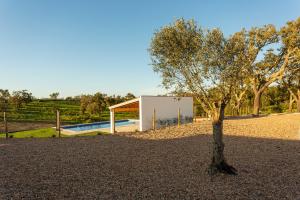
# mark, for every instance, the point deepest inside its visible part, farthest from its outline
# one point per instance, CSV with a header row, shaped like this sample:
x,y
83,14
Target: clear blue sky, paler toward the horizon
x,y
81,47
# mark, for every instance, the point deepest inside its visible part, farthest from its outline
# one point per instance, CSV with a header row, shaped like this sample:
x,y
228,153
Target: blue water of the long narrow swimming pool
x,y
97,125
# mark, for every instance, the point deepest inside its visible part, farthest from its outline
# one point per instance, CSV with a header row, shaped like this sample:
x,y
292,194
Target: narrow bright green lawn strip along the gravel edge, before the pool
x,y
45,133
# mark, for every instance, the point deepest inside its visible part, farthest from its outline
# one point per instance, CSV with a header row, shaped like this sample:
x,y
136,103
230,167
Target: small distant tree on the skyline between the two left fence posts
x,y
20,97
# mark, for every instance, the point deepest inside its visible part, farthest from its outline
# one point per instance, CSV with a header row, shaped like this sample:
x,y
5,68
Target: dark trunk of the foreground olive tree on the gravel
x,y
218,163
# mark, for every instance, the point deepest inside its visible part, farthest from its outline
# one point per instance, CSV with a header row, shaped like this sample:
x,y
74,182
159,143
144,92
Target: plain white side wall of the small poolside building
x,y
165,108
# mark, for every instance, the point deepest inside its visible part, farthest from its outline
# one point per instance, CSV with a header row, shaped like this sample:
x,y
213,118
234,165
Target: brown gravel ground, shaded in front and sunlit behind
x,y
166,164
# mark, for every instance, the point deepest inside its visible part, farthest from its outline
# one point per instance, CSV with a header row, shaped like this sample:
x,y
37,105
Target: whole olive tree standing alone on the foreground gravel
x,y
205,64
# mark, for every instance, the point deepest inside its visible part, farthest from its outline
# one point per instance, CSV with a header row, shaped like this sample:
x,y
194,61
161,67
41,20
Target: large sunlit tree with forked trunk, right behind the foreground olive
x,y
262,72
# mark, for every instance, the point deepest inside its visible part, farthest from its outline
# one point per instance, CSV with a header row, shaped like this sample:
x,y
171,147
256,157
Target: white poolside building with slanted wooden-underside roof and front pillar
x,y
156,111
